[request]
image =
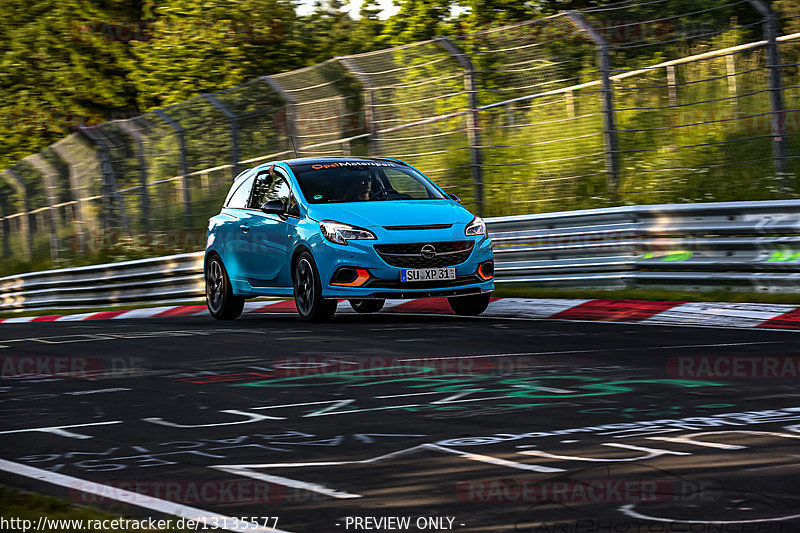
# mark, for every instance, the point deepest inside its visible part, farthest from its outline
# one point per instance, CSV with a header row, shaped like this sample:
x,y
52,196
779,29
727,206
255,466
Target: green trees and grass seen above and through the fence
x,y
84,62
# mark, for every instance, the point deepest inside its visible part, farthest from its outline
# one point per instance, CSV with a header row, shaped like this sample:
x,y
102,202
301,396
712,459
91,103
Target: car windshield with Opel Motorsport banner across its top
x,y
362,181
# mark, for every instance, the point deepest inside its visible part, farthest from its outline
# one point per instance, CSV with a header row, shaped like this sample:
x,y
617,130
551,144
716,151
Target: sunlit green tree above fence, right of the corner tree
x,y
200,46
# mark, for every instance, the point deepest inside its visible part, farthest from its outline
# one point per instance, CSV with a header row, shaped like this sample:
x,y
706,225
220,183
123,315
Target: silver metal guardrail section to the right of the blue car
x,y
732,245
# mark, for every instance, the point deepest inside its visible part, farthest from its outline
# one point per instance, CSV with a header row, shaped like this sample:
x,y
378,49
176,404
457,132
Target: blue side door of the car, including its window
x,y
267,237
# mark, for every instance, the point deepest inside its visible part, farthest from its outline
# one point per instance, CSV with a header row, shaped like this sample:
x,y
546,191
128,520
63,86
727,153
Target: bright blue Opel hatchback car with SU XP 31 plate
x,y
360,229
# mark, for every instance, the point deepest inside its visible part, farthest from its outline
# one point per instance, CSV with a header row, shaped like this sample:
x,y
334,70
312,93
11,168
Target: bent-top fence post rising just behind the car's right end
x,y
473,120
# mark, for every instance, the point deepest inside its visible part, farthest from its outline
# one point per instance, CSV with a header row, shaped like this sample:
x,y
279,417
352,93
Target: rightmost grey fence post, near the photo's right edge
x,y
780,148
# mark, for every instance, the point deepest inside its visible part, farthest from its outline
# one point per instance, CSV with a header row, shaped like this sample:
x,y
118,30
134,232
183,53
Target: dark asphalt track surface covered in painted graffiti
x,y
470,424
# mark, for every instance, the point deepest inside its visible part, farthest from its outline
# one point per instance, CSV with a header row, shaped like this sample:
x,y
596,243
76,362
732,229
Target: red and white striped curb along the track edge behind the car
x,y
773,316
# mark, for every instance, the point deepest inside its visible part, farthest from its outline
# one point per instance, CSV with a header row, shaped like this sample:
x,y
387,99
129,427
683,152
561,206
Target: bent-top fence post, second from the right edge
x,y
610,137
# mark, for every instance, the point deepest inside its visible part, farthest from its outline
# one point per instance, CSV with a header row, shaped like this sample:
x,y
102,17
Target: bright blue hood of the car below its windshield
x,y
392,213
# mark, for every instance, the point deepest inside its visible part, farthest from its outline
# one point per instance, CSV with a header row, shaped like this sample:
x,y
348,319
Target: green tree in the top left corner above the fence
x,y
61,64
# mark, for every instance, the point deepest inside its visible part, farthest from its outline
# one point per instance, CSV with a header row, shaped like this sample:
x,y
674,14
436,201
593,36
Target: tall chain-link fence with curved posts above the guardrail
x,y
651,101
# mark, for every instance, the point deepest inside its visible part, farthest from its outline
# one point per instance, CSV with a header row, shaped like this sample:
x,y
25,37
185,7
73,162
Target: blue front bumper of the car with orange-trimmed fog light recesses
x,y
384,279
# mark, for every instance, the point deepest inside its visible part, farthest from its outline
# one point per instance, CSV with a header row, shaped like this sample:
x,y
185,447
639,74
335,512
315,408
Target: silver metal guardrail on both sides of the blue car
x,y
731,245
